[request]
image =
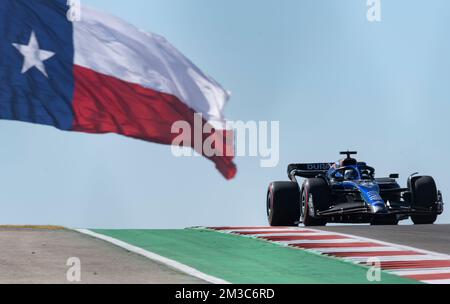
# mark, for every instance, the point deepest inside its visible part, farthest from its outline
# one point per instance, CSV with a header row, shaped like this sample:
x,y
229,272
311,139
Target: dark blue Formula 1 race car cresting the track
x,y
348,192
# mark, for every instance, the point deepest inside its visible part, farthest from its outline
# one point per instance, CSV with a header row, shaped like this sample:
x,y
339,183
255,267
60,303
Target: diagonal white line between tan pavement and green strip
x,y
155,257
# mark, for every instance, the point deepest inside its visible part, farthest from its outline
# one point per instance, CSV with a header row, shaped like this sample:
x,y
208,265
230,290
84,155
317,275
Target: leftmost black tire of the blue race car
x,y
283,204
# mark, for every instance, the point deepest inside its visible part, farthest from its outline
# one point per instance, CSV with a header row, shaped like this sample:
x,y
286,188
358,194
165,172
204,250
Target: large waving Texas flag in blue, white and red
x,y
103,75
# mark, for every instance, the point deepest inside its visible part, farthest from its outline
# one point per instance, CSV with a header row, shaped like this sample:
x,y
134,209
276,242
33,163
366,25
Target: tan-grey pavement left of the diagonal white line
x,y
40,256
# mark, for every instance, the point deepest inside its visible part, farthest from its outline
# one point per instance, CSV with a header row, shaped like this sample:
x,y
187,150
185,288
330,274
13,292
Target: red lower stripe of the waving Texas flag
x,y
105,104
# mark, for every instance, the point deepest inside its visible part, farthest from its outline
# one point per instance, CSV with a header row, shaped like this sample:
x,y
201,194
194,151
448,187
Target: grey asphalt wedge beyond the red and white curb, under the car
x,y
427,237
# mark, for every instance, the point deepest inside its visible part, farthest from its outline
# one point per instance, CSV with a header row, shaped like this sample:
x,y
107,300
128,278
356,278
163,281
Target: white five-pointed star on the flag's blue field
x,y
33,55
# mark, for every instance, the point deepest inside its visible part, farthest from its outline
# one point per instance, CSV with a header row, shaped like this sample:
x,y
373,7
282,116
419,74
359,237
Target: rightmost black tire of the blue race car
x,y
425,196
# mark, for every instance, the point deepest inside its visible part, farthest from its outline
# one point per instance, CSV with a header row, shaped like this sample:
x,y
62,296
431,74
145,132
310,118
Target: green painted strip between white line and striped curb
x,y
244,260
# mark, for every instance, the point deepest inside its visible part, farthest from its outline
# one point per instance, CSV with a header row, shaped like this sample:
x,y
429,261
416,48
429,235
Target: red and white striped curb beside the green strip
x,y
422,265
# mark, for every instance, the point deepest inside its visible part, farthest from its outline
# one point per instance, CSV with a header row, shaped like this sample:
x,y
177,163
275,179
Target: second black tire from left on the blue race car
x,y
316,196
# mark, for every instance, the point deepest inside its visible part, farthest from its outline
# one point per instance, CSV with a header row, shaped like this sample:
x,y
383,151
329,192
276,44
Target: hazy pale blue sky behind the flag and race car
x,y
332,79
